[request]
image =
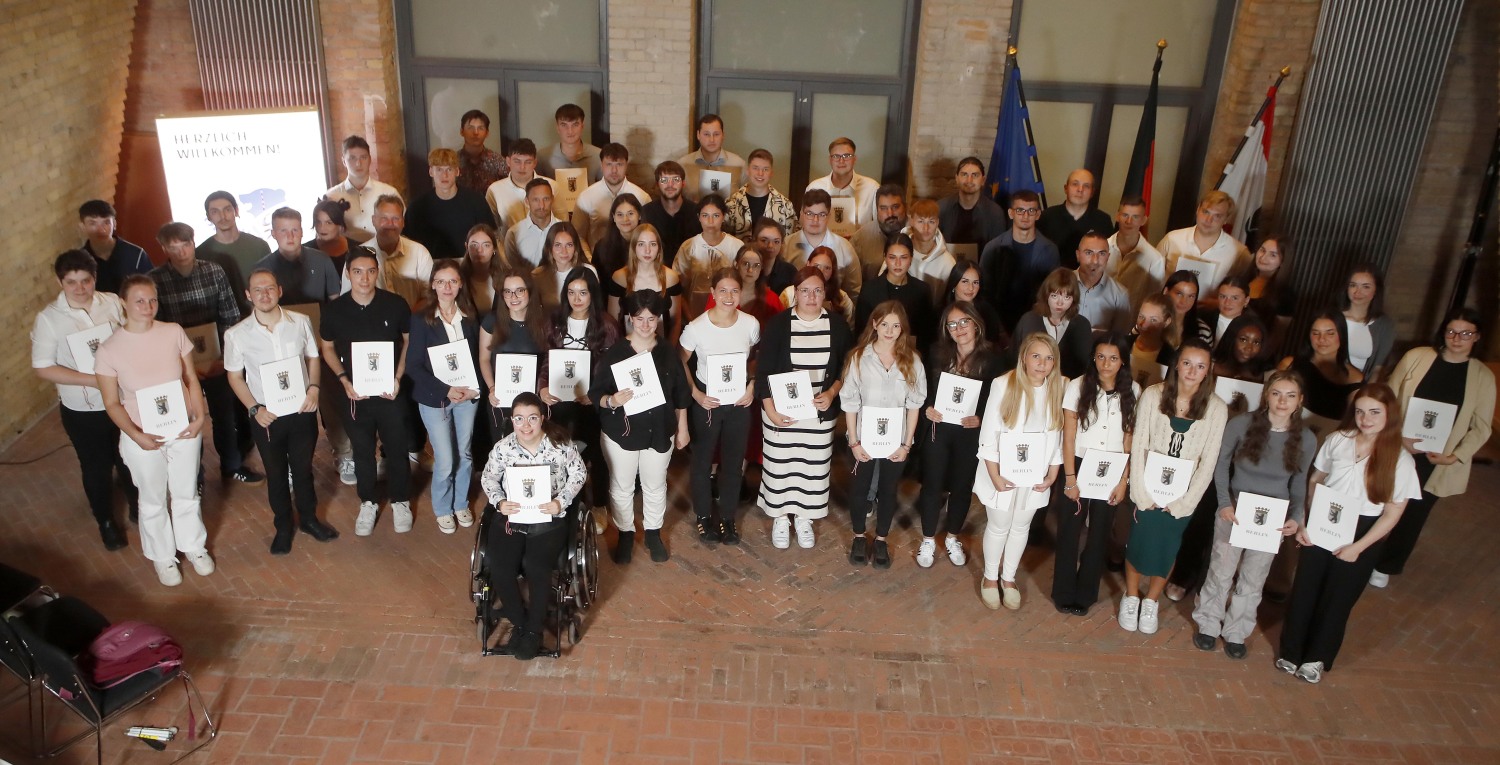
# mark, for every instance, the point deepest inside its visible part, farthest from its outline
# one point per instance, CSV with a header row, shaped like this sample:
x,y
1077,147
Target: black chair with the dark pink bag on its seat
x,y
100,707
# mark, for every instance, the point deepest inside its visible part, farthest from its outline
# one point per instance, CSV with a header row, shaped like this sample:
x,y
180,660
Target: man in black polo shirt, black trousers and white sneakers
x,y
368,314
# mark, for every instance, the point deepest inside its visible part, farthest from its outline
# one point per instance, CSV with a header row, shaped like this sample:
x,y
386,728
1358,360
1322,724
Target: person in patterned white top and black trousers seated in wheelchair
x,y
529,548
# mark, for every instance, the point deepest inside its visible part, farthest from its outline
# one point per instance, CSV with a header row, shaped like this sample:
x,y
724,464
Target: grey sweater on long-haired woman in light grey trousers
x,y
1270,476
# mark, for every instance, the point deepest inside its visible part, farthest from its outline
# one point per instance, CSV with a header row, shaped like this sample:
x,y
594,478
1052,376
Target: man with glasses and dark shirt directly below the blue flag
x,y
1018,262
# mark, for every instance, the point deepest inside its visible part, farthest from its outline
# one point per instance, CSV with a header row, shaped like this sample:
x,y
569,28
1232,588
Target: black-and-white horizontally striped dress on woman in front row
x,y
799,460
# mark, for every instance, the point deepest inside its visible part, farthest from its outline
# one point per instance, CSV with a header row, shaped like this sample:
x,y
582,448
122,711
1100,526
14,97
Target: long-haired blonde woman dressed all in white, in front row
x,y
1021,449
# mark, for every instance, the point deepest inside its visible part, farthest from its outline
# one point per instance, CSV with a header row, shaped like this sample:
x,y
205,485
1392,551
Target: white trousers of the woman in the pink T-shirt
x,y
167,475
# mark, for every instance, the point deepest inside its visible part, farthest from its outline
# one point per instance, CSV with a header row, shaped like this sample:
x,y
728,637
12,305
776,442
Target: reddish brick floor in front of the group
x,y
364,650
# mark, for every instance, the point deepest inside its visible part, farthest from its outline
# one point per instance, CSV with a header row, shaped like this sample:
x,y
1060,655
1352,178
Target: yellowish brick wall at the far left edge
x,y
64,67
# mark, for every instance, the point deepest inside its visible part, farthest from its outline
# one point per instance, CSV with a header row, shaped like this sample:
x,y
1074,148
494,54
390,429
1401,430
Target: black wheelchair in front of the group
x,y
575,586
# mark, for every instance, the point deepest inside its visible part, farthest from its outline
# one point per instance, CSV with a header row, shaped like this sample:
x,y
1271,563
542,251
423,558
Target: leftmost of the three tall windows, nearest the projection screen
x,y
517,61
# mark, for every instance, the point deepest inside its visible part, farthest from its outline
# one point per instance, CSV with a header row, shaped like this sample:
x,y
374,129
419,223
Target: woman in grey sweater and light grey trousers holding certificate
x,y
1265,452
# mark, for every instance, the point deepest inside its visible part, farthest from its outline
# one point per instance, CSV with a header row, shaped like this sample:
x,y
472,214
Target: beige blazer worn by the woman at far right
x,y
1471,428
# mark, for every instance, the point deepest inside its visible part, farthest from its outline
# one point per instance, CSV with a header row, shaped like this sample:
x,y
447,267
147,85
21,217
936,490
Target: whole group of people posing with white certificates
x,y
980,350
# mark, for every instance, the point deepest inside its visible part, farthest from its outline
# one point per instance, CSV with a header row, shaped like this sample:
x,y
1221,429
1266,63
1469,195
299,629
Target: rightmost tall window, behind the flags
x,y
1087,85
